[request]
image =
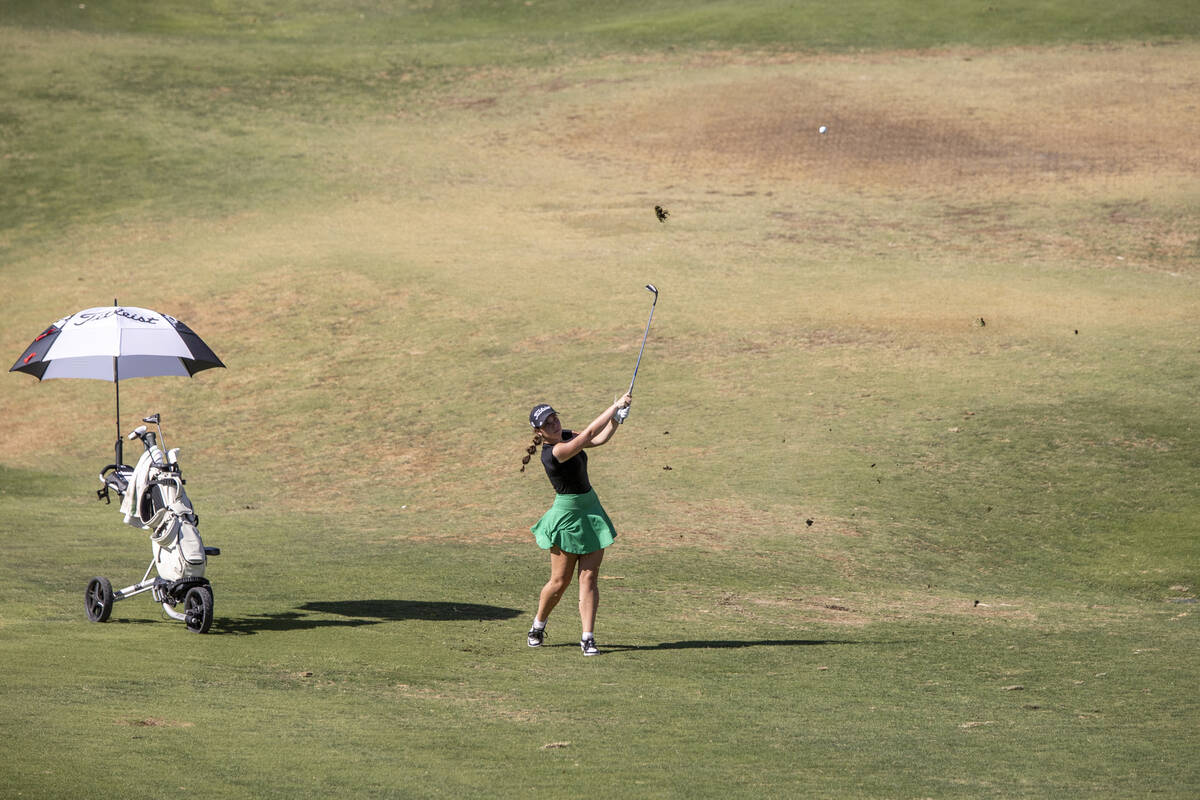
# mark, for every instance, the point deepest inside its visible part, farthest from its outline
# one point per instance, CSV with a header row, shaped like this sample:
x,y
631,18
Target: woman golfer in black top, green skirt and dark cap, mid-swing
x,y
577,530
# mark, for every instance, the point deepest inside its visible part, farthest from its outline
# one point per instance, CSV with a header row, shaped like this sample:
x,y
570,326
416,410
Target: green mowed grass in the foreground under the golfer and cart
x,y
386,673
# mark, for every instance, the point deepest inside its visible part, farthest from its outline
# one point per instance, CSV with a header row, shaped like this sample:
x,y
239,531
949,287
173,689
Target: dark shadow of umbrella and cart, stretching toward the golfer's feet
x,y
361,612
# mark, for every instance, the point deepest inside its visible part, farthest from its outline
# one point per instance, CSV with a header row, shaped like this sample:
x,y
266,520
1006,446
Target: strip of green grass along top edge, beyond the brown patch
x,y
549,28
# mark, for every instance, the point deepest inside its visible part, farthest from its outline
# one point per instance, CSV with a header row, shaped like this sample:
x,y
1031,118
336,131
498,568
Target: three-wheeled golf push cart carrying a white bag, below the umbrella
x,y
153,500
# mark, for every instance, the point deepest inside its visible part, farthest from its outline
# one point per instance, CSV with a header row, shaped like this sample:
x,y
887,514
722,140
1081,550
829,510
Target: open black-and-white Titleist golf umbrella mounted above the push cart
x,y
116,344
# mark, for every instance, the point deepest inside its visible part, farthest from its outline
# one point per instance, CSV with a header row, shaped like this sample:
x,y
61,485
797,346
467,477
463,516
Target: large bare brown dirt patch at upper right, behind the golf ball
x,y
914,119
